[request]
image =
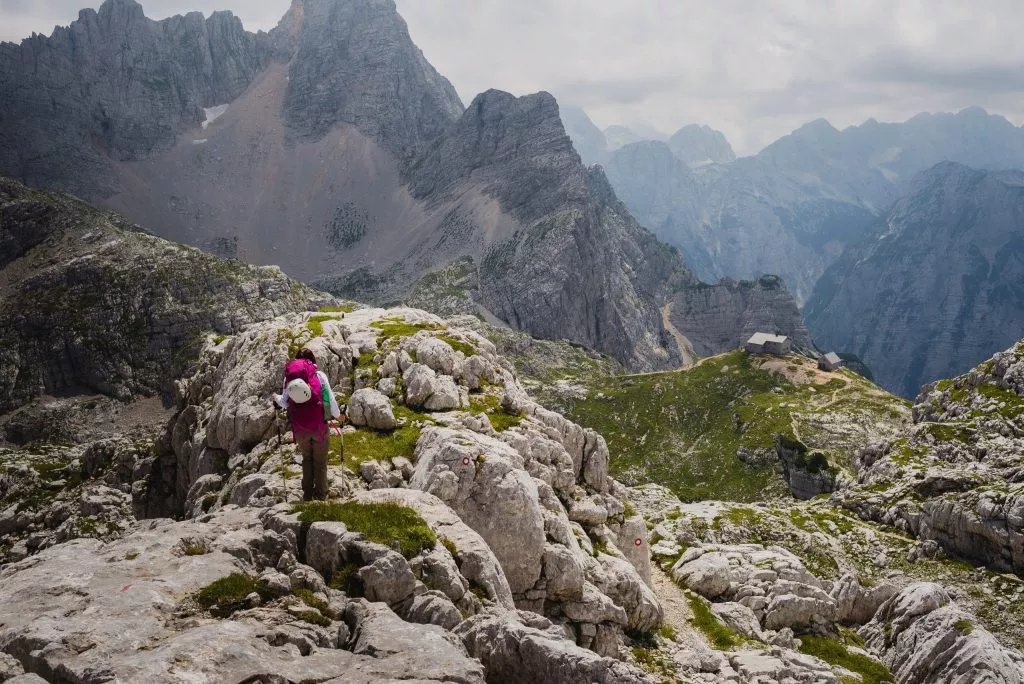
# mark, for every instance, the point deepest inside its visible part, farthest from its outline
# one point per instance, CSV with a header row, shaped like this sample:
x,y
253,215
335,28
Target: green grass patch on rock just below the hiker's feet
x,y
382,524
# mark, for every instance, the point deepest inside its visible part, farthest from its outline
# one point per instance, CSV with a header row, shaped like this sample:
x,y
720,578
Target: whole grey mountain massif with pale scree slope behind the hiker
x,y
332,148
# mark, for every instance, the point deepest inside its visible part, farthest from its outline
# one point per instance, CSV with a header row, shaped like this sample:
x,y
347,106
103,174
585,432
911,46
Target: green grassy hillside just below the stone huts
x,y
685,430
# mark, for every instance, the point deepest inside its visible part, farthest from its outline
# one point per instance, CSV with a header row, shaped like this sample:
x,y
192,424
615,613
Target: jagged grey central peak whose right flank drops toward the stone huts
x,y
577,265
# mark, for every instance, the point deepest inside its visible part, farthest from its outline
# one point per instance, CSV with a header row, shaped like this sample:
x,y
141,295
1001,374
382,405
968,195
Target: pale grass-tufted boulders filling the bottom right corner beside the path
x,y
762,574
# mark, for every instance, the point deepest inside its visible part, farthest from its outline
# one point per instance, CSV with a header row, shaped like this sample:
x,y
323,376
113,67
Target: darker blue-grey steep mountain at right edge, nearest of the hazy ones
x,y
938,288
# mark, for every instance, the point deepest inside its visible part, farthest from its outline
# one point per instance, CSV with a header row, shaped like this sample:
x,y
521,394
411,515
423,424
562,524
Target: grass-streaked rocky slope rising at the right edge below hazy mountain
x,y
954,478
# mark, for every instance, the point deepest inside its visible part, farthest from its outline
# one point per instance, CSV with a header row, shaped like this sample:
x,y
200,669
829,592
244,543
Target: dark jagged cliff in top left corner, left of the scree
x,y
115,85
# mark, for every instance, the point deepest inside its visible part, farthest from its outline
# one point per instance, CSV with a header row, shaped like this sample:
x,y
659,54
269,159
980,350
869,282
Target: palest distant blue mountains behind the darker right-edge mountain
x,y
799,203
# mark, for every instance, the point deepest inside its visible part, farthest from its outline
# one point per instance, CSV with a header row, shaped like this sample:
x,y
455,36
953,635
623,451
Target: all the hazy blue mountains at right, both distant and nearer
x,y
920,277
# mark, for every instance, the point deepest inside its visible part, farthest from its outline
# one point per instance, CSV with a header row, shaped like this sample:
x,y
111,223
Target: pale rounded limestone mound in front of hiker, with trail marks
x,y
524,509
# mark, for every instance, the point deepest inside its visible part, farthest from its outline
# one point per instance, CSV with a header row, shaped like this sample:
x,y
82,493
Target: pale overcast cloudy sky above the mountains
x,y
754,70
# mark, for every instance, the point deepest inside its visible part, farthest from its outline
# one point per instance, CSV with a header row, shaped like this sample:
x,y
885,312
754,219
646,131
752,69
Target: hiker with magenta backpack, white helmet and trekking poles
x,y
311,404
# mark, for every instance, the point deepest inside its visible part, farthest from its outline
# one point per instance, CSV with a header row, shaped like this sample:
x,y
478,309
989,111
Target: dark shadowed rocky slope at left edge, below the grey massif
x,y
90,303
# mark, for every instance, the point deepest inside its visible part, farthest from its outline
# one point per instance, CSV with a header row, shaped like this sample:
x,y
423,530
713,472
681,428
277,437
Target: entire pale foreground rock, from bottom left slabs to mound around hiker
x,y
564,582
